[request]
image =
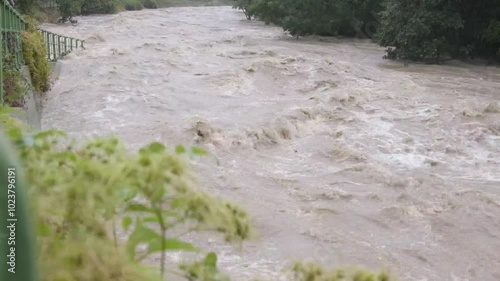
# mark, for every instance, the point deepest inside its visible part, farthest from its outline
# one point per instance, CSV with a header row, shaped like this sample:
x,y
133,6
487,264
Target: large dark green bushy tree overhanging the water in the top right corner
x,y
431,30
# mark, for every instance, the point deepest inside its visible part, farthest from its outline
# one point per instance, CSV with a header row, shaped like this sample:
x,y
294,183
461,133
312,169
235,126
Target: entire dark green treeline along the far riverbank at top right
x,y
421,30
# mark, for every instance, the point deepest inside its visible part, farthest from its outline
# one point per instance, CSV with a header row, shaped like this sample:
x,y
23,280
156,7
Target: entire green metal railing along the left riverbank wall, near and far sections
x,y
11,26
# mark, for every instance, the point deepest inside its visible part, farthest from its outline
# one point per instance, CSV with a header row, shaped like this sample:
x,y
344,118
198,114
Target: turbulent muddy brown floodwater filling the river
x,y
338,155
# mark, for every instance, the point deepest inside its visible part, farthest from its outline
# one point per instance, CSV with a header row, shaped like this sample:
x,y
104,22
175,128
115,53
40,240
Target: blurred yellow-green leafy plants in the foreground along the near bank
x,y
84,193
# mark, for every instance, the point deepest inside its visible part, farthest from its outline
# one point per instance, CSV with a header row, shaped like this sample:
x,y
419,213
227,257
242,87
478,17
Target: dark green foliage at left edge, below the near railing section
x,y
14,84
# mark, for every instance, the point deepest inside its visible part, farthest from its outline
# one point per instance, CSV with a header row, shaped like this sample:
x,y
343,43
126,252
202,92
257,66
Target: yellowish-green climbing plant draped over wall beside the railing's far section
x,y
35,56
